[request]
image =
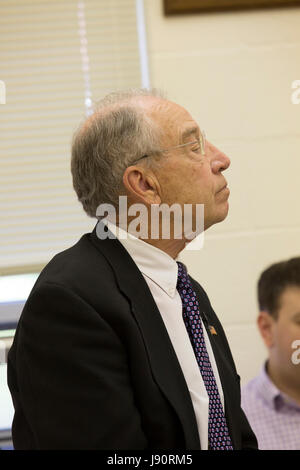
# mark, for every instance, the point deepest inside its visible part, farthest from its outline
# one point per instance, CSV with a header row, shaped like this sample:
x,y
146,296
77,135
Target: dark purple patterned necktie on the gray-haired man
x,y
218,435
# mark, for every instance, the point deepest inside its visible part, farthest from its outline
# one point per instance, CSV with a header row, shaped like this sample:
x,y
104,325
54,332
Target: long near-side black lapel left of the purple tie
x,y
162,358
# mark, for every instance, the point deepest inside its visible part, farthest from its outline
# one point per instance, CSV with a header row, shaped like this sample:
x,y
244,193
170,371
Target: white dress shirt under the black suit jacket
x,y
160,272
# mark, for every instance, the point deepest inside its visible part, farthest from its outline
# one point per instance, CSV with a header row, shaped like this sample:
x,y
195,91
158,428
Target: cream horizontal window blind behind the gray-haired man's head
x,y
56,59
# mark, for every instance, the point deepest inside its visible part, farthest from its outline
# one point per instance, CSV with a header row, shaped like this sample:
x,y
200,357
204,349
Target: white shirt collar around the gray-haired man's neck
x,y
151,261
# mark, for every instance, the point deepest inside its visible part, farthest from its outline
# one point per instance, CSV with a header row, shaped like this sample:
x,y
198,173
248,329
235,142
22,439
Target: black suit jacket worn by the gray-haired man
x,y
92,365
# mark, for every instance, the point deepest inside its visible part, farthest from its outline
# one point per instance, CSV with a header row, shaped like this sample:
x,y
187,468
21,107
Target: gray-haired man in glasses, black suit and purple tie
x,y
117,346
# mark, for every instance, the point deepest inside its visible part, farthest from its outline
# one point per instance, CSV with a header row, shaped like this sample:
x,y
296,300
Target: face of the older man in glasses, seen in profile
x,y
186,176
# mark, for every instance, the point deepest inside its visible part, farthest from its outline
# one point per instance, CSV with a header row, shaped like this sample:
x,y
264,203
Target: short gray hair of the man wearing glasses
x,y
117,134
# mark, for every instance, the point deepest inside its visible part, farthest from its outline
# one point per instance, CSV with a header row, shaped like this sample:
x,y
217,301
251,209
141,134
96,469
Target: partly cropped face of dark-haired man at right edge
x,y
286,330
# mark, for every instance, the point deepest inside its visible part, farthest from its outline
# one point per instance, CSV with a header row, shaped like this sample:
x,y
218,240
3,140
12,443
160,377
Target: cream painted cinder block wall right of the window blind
x,y
234,72
